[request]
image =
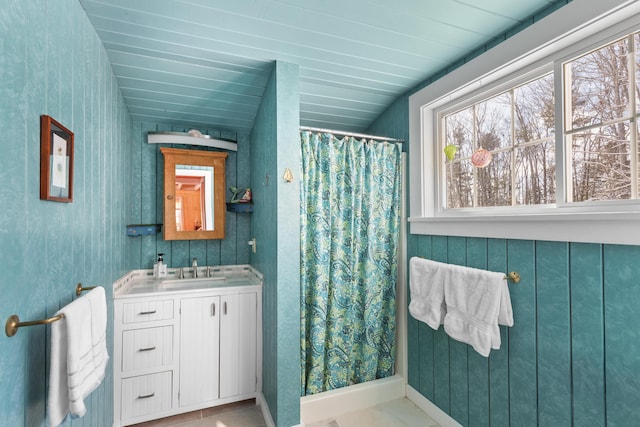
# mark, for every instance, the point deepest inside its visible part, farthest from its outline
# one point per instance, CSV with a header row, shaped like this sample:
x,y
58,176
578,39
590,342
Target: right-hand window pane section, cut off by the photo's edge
x,y
600,111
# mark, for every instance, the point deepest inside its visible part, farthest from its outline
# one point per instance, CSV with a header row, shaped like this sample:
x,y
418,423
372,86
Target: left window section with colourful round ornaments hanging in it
x,y
515,130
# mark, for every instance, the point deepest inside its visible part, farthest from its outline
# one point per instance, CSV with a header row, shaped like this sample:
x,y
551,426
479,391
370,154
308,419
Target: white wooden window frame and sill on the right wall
x,y
544,46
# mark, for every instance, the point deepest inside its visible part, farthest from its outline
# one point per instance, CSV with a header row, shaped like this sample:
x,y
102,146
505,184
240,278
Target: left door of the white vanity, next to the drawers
x,y
199,349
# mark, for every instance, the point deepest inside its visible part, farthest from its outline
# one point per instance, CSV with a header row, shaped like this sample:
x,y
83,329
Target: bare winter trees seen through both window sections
x,y
601,103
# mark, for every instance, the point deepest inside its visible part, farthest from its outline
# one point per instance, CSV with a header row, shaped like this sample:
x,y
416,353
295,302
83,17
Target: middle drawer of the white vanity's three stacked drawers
x,y
147,348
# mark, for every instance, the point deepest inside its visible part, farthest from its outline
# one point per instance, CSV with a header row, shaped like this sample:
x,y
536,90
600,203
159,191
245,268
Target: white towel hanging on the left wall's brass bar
x,y
78,355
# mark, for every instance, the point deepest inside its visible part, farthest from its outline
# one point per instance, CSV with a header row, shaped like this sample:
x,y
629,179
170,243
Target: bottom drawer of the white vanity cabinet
x,y
146,395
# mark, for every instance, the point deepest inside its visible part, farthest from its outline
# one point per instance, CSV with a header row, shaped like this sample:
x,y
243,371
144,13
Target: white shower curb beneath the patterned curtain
x,y
348,399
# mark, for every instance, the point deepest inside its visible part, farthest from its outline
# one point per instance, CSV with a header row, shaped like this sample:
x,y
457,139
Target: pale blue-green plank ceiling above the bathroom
x,y
205,63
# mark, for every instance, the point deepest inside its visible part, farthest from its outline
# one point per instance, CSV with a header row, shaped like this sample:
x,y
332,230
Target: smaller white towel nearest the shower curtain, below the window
x,y
426,283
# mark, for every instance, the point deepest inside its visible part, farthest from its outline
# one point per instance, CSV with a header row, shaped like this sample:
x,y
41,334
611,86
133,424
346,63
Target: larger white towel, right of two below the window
x,y
477,301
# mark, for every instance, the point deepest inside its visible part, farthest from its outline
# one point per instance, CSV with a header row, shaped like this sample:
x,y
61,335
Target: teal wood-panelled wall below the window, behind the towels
x,y
571,356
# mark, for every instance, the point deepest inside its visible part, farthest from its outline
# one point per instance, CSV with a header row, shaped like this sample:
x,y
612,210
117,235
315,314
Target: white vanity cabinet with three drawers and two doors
x,y
180,350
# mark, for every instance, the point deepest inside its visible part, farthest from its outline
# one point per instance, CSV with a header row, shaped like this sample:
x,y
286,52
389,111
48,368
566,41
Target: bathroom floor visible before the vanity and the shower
x,y
396,413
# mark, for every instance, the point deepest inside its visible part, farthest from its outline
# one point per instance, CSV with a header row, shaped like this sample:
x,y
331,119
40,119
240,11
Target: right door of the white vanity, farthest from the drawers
x,y
238,344
